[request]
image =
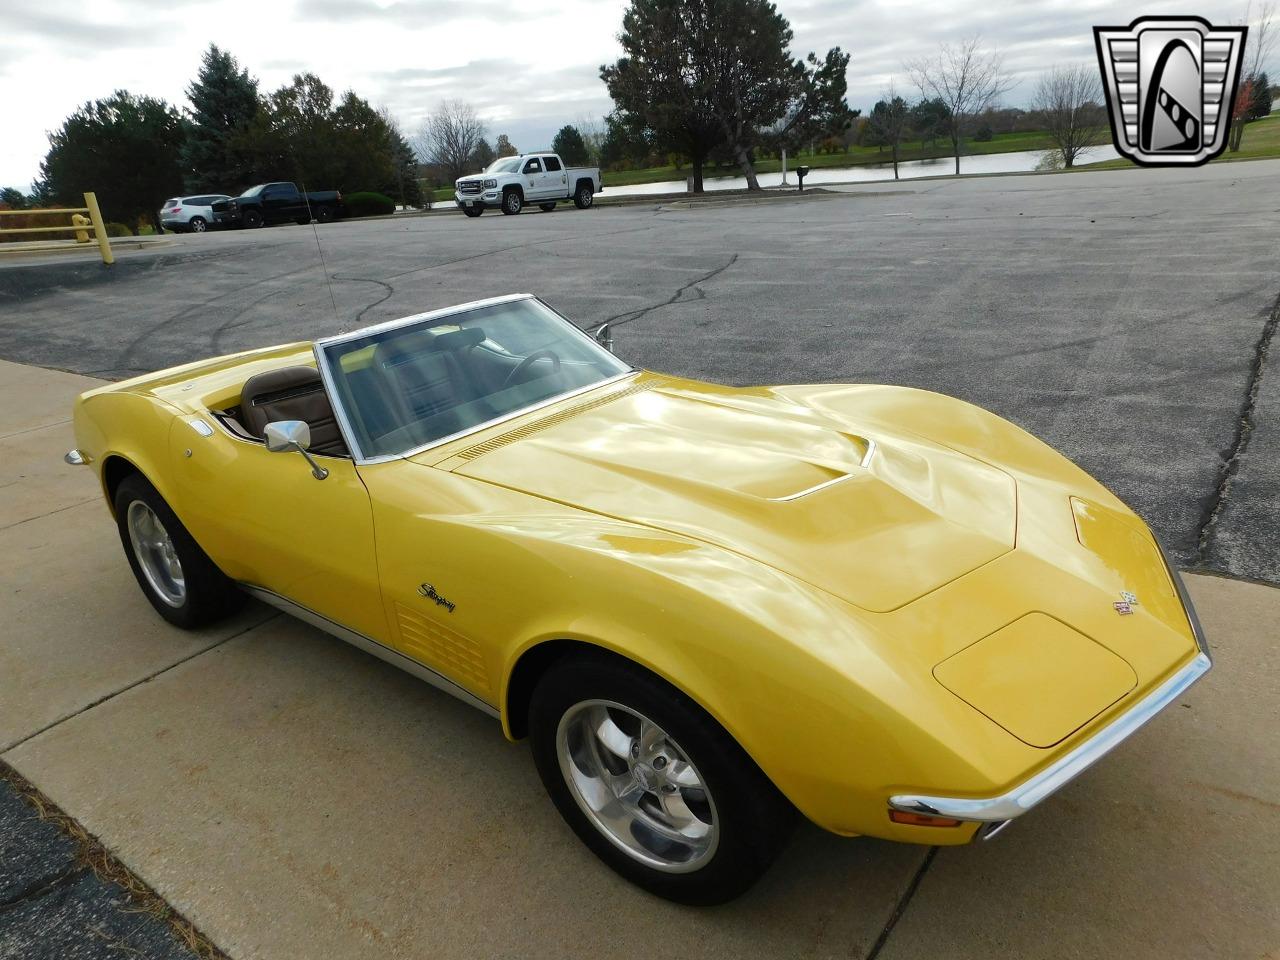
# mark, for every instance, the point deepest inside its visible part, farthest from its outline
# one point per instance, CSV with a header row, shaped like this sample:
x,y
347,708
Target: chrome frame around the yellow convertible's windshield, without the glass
x,y
349,433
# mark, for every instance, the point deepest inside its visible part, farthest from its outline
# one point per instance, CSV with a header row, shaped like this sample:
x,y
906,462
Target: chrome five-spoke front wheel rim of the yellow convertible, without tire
x,y
636,784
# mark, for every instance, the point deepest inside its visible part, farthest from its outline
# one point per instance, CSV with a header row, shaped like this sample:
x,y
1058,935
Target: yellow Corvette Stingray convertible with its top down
x,y
708,609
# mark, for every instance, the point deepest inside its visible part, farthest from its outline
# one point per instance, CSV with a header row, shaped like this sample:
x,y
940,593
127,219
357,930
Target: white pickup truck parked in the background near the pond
x,y
510,182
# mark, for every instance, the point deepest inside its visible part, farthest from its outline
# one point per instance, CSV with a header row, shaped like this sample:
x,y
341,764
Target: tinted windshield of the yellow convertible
x,y
412,386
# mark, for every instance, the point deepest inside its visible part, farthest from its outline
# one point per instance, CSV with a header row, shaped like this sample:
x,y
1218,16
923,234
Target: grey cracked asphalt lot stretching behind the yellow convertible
x,y
1124,317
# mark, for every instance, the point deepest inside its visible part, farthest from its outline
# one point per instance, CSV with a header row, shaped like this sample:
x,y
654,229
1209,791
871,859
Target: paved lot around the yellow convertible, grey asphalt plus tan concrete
x,y
296,798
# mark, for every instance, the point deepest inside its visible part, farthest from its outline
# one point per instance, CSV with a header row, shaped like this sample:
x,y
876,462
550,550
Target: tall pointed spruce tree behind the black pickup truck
x,y
223,104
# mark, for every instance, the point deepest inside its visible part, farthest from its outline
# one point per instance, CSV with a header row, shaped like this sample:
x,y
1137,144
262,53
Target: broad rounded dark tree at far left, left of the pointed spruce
x,y
126,149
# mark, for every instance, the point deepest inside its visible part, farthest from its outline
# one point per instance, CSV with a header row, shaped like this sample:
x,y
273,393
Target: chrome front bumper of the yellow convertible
x,y
1030,793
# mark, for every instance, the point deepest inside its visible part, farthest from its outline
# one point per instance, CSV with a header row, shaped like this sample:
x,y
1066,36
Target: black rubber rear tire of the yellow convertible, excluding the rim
x,y
209,595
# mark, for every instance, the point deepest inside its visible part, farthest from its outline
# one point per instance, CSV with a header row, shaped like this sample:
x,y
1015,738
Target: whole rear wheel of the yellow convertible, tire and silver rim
x,y
179,578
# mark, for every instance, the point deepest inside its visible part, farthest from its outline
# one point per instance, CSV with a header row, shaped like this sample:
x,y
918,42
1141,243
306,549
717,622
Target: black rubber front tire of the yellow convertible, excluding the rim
x,y
753,819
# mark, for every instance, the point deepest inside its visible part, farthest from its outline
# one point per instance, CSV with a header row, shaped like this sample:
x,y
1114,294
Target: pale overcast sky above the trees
x,y
529,68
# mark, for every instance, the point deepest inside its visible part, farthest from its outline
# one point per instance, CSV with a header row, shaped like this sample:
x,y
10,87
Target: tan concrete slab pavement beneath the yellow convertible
x,y
299,799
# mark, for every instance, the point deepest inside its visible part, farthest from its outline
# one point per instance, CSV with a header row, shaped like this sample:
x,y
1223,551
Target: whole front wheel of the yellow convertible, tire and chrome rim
x,y
652,784
